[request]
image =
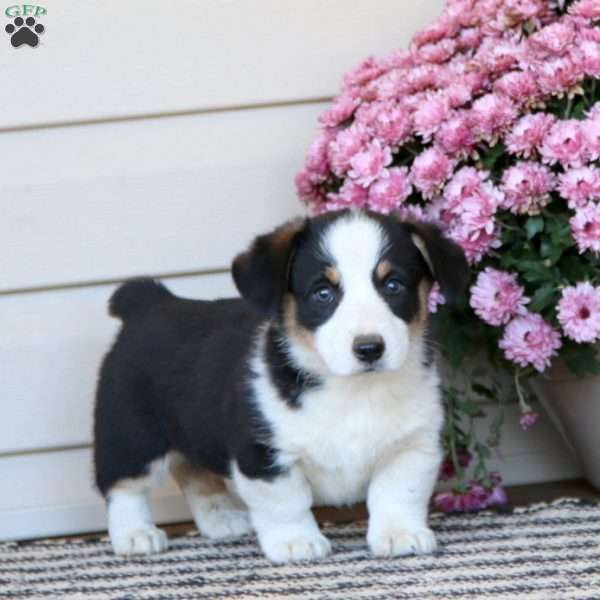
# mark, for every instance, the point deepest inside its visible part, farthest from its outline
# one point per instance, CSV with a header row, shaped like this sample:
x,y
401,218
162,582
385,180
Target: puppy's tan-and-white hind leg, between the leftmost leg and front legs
x,y
217,513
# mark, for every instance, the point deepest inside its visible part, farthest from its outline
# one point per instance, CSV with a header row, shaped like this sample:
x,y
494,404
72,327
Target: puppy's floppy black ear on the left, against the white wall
x,y
261,273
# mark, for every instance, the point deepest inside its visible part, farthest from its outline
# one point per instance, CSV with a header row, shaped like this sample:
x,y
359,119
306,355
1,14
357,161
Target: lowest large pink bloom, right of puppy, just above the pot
x,y
529,340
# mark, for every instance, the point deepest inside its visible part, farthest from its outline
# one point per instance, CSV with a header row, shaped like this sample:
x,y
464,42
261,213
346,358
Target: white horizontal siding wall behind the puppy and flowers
x,y
152,138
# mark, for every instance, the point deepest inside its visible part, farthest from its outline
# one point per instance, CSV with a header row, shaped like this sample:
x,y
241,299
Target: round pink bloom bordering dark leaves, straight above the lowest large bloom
x,y
526,187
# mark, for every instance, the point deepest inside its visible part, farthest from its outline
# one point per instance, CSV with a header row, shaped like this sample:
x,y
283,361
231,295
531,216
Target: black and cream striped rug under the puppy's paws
x,y
545,551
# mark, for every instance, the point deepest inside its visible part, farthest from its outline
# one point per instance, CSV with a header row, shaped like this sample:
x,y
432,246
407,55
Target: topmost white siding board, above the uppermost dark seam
x,y
109,59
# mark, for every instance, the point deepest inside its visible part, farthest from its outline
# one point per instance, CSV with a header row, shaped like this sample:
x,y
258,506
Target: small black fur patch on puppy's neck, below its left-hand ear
x,y
290,381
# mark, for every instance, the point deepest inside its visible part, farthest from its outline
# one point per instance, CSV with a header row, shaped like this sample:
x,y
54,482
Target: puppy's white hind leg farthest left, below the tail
x,y
130,524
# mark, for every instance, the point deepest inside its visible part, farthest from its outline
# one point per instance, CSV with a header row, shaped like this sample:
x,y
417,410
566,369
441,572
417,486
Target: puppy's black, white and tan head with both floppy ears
x,y
350,288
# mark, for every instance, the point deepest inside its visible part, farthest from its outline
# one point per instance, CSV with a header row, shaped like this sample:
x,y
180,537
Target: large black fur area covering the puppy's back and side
x,y
176,379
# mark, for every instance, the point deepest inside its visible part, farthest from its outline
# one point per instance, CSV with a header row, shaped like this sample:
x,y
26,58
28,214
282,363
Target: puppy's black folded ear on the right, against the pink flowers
x,y
445,259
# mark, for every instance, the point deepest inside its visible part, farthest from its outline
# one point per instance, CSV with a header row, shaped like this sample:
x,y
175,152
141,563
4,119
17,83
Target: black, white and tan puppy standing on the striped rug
x,y
316,387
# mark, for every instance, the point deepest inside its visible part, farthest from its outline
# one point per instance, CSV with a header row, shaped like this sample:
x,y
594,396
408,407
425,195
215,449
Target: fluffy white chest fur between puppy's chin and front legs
x,y
346,427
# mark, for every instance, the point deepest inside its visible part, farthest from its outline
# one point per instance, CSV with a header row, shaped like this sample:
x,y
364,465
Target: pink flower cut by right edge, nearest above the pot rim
x,y
579,312
